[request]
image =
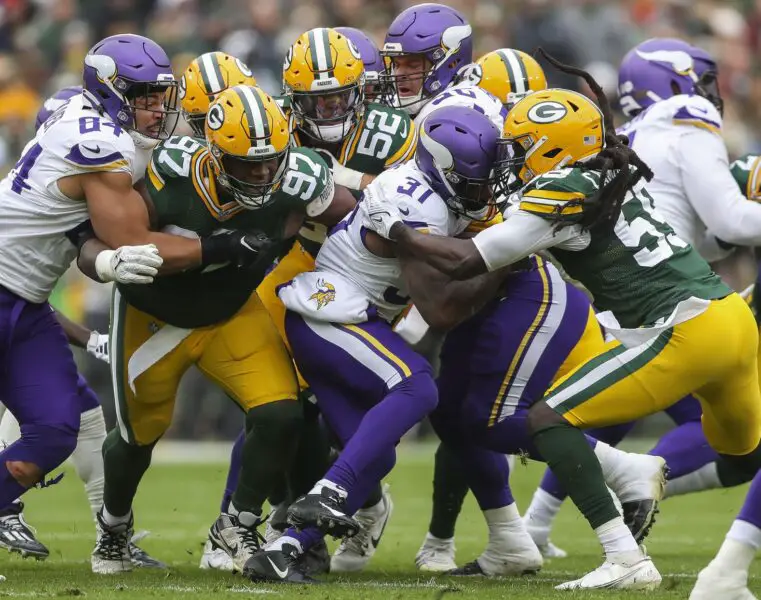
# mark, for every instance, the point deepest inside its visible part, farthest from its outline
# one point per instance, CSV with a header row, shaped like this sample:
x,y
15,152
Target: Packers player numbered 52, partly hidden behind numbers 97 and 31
x,y
324,83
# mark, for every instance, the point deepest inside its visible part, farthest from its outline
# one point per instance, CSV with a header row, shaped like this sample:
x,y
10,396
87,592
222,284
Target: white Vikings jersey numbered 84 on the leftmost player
x,y
36,217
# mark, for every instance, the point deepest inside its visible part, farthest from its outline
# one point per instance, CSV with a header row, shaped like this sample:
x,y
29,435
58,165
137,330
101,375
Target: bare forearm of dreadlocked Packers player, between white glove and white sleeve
x,y
459,259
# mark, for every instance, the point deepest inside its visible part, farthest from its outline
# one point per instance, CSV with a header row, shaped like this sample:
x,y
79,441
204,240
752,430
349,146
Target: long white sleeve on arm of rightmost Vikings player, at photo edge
x,y
713,192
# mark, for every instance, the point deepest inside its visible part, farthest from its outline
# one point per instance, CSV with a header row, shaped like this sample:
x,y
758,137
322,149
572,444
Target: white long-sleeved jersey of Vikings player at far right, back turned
x,y
680,140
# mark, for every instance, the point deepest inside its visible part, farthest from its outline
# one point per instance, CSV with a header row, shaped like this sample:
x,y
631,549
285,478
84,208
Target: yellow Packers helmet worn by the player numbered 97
x,y
249,139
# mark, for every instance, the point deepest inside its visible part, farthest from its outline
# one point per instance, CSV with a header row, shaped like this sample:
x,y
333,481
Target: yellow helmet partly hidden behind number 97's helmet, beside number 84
x,y
204,78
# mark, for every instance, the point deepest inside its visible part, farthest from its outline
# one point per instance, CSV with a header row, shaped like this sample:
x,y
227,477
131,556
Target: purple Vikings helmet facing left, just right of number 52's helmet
x,y
435,32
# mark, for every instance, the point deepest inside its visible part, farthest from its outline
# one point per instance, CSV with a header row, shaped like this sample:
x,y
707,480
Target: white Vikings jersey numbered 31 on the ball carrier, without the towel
x,y
380,279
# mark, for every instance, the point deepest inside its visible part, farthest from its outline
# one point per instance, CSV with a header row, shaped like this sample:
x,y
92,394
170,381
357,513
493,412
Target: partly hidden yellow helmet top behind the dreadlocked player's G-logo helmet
x,y
508,74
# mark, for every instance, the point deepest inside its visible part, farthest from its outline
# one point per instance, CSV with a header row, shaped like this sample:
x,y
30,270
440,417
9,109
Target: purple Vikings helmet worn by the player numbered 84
x,y
122,73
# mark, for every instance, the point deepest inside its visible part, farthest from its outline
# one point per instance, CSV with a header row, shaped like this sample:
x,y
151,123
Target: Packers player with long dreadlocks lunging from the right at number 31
x,y
659,298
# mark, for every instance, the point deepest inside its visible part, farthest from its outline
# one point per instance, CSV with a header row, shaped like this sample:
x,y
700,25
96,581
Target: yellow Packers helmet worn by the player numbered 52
x,y
324,76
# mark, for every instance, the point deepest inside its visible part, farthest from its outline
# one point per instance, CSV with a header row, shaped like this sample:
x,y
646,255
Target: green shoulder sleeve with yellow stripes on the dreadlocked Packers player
x,y
559,194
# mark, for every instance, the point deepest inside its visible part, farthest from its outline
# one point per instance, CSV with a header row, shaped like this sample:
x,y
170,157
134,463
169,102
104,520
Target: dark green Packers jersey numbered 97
x,y
188,201
